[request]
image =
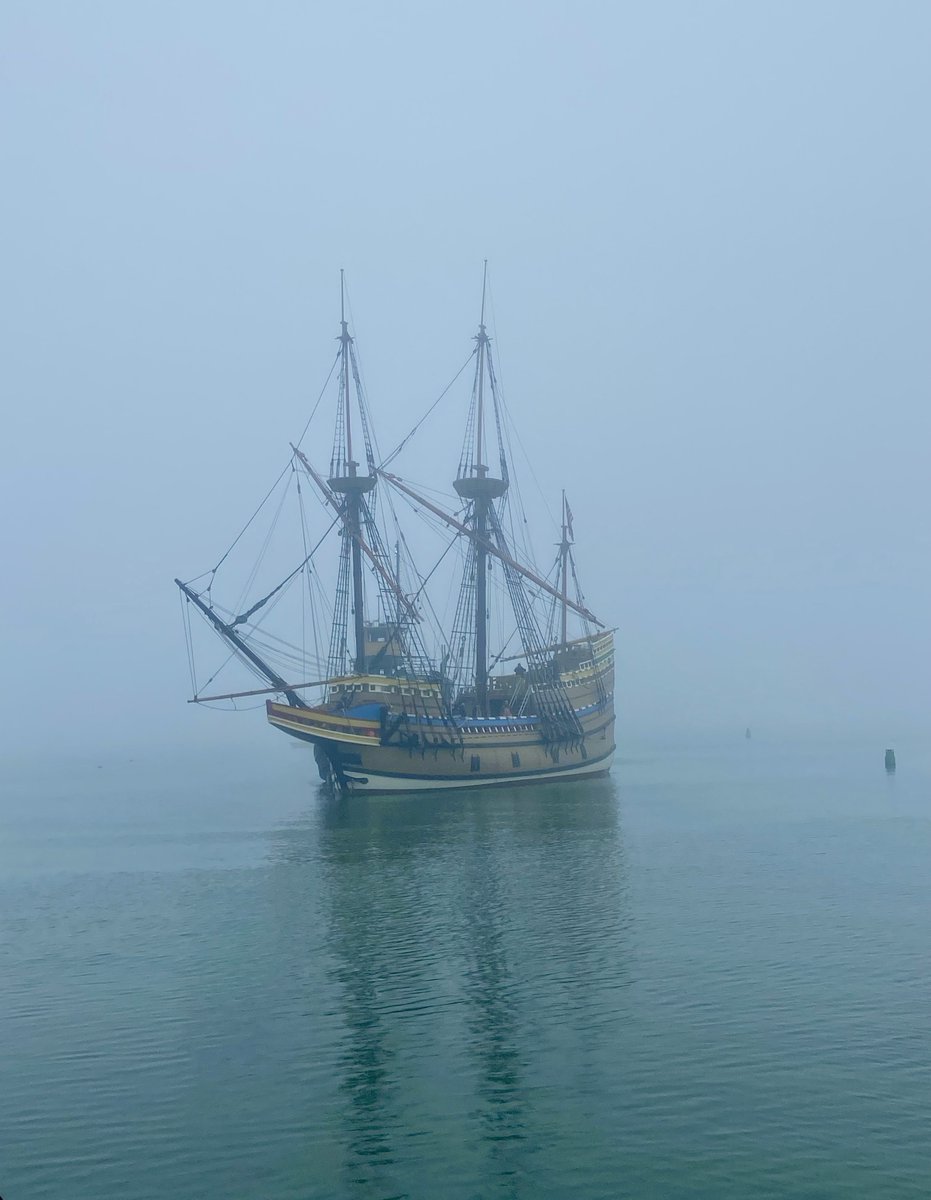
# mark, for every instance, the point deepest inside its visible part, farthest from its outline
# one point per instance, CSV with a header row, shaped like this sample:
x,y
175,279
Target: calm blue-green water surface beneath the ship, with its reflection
x,y
708,976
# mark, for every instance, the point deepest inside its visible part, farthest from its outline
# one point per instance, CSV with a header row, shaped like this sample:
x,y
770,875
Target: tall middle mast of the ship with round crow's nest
x,y
476,484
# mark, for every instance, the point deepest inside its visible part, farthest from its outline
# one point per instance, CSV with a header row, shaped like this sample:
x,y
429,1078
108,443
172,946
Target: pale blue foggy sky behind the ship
x,y
710,241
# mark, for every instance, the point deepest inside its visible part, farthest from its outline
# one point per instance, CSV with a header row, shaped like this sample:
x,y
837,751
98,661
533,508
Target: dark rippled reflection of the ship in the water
x,y
476,961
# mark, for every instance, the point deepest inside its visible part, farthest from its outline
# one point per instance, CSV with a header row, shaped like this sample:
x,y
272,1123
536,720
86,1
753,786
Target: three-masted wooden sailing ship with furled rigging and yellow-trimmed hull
x,y
474,669
